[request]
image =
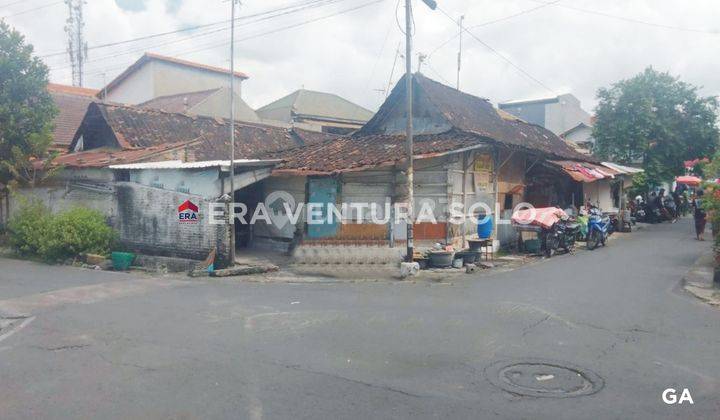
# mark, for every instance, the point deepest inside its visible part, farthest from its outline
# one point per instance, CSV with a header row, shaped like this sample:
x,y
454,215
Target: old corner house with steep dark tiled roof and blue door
x,y
465,152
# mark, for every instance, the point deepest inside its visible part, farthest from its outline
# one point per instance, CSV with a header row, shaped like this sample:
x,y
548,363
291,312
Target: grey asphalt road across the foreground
x,y
119,346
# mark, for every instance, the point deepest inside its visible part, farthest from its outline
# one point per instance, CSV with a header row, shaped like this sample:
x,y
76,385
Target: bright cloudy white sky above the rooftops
x,y
533,48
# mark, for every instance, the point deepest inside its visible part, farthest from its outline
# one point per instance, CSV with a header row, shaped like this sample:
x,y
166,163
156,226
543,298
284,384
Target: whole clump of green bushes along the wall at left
x,y
35,232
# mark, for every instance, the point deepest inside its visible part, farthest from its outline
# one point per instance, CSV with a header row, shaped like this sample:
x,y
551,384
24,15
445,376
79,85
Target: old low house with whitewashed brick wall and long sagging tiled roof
x,y
137,165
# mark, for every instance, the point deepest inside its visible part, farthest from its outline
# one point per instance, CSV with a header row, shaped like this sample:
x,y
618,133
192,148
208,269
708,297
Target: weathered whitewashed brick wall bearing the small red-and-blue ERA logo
x,y
147,221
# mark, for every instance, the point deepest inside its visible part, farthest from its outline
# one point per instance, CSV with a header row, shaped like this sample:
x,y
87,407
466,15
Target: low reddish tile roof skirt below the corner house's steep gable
x,y
355,153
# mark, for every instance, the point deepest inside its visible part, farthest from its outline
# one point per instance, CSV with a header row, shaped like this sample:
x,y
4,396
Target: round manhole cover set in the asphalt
x,y
543,378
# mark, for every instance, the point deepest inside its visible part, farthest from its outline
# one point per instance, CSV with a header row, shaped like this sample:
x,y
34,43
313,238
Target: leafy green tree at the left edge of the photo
x,y
26,111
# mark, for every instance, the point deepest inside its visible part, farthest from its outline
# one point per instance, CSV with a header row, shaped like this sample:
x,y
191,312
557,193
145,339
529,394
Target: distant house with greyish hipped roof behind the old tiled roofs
x,y
318,111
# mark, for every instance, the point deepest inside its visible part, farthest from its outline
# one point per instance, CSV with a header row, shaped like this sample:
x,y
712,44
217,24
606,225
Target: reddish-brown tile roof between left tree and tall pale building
x,y
71,102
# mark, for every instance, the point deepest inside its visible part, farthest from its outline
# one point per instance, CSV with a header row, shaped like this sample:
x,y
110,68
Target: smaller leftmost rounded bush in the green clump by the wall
x,y
28,228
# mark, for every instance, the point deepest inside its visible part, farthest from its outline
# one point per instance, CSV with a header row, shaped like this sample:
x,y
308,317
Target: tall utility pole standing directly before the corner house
x,y
408,128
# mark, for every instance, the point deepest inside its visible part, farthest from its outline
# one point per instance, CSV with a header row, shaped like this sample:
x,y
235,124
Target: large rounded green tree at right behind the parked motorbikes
x,y
657,120
